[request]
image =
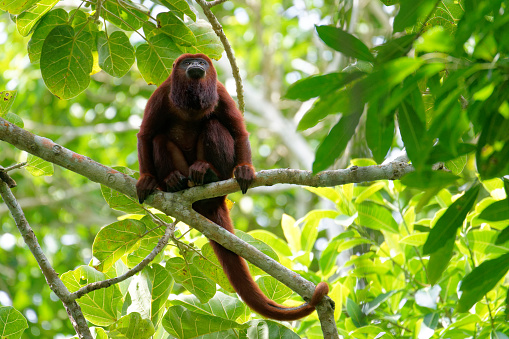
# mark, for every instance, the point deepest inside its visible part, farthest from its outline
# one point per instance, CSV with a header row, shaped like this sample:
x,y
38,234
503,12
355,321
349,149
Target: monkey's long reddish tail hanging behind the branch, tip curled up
x,y
238,274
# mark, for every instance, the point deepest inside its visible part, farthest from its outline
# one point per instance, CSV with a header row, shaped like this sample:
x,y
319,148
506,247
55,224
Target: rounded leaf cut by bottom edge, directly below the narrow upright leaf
x,y
131,326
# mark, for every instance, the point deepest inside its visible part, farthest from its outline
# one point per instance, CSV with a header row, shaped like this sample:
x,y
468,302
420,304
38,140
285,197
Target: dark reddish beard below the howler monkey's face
x,y
195,95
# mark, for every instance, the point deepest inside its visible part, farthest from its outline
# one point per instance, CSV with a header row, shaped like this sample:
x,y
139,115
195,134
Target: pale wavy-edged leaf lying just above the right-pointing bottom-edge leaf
x,y
221,305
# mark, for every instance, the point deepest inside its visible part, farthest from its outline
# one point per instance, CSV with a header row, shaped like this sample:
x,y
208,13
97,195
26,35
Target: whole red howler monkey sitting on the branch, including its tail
x,y
192,134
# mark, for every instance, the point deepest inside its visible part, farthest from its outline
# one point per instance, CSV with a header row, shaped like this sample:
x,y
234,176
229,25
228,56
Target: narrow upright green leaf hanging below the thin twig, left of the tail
x,y
161,284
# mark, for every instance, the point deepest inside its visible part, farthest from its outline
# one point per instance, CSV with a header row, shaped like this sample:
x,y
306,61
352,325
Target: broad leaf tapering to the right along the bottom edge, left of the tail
x,y
183,324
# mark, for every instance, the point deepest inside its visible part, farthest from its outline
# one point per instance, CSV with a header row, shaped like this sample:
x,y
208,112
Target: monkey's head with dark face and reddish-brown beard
x,y
194,84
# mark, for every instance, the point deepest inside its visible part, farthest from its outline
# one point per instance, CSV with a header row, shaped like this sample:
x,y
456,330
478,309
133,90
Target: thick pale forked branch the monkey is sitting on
x,y
179,204
